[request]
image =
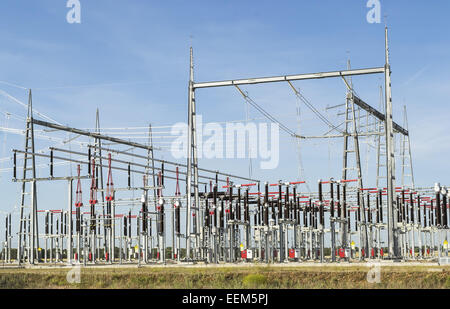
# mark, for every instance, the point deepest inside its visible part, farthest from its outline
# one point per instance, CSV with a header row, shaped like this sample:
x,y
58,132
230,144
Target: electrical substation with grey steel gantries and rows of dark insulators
x,y
215,217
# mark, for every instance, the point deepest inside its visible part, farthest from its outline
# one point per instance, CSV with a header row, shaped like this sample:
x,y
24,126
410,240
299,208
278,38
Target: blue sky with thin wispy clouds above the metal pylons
x,y
130,59
